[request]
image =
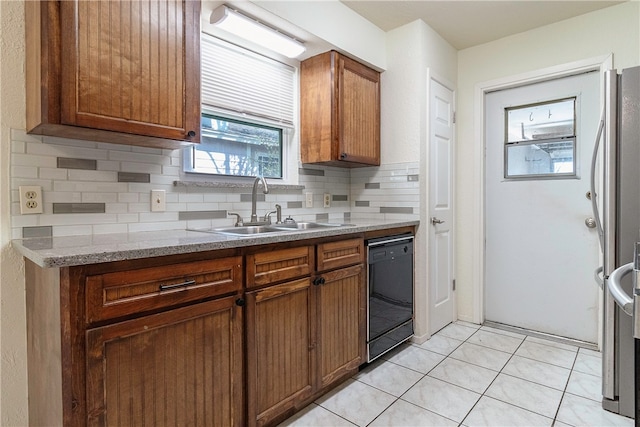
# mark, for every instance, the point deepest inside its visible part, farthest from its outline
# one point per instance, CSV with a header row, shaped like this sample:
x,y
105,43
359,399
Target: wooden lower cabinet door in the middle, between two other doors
x,y
280,356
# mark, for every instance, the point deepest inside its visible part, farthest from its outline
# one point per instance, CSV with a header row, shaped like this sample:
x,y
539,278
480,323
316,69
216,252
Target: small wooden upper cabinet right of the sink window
x,y
339,112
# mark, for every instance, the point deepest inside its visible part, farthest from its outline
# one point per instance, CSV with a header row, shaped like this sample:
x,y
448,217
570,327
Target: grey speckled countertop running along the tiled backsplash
x,y
83,250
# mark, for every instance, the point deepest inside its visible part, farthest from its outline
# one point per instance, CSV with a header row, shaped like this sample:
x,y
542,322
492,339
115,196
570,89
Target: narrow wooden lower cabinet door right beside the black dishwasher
x,y
341,323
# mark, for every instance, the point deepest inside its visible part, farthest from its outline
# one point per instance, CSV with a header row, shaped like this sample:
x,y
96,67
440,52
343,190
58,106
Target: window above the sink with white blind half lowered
x,y
248,116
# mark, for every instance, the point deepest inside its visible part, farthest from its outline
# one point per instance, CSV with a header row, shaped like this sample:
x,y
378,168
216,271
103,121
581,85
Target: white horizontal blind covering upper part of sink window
x,y
241,82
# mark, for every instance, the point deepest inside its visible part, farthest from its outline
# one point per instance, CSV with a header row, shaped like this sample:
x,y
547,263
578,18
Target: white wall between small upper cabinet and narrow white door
x,y
412,51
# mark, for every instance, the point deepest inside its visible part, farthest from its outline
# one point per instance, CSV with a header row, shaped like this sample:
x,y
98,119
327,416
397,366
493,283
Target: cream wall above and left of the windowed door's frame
x,y
611,30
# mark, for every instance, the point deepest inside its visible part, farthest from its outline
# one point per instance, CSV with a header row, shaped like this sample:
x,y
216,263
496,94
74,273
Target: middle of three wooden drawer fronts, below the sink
x,y
275,266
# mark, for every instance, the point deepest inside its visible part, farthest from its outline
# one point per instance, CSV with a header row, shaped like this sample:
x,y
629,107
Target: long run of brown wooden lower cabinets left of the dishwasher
x,y
184,340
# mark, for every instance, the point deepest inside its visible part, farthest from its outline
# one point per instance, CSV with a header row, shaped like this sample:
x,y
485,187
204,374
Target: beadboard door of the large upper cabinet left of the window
x,y
132,66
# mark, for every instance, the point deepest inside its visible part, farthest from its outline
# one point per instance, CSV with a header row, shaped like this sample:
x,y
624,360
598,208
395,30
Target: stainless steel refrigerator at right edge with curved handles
x,y
620,127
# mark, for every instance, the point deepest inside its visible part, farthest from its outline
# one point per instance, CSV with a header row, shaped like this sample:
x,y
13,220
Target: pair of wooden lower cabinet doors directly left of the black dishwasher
x,y
303,337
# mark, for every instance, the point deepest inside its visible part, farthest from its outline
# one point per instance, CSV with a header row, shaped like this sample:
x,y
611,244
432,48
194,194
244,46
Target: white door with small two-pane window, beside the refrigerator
x,y
540,255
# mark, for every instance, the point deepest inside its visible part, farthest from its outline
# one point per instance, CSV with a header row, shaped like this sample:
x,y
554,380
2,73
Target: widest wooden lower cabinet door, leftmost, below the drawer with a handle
x,y
180,367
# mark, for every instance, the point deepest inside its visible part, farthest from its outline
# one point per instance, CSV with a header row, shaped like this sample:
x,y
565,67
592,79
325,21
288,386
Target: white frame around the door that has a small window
x,y
600,63
